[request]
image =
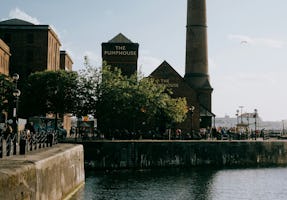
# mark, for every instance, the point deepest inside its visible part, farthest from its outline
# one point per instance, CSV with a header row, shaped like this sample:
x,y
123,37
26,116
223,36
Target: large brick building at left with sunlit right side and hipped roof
x,y
33,47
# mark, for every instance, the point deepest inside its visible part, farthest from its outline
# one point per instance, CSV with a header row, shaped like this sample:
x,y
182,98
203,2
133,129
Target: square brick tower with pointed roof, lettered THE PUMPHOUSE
x,y
122,53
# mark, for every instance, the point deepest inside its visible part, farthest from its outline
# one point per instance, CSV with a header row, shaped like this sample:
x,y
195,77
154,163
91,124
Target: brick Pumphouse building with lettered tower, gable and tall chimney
x,y
194,86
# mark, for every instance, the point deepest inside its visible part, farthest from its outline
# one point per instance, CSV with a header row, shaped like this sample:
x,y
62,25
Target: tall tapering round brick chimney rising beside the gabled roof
x,y
196,60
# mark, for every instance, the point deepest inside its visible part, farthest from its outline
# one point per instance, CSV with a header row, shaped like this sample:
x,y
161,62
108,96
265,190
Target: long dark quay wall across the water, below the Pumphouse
x,y
159,154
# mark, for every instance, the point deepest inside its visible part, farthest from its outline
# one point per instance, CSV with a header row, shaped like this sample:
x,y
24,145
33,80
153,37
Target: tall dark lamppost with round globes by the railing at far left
x,y
16,94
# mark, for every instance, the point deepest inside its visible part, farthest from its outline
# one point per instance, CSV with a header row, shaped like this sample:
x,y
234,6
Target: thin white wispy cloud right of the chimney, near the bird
x,y
258,41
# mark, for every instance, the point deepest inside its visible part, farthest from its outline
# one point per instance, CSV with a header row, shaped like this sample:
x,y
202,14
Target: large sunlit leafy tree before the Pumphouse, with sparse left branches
x,y
121,102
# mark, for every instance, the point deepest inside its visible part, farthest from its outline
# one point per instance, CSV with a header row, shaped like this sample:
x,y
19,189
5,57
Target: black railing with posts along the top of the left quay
x,y
26,141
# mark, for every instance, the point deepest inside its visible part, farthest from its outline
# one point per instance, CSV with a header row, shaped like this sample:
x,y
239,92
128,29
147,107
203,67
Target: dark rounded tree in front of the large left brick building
x,y
49,92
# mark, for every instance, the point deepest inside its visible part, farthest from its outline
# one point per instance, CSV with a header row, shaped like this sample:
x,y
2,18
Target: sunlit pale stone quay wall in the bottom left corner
x,y
49,173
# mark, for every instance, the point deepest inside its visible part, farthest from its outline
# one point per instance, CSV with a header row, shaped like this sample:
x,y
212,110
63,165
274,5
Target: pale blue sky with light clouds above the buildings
x,y
247,42
